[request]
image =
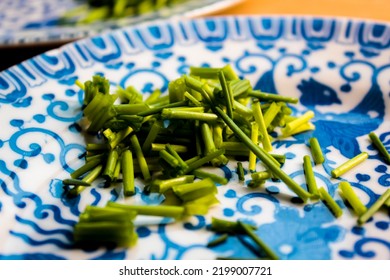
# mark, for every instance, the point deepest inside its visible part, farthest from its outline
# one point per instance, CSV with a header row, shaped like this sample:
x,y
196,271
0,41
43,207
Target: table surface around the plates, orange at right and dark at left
x,y
367,9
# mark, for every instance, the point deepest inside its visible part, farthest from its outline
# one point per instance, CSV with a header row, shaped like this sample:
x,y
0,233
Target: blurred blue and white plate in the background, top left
x,y
39,21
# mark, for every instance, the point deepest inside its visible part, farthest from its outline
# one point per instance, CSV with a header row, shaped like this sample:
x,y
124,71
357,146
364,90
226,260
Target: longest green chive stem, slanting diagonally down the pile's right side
x,y
264,157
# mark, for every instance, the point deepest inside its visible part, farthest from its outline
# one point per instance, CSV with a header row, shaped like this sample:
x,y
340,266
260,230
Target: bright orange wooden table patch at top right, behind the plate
x,y
368,9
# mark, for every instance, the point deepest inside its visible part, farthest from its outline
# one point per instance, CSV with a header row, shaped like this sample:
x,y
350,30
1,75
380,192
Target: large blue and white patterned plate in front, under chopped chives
x,y
339,68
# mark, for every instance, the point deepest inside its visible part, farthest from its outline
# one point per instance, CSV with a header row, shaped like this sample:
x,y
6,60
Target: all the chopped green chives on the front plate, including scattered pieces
x,y
209,117
